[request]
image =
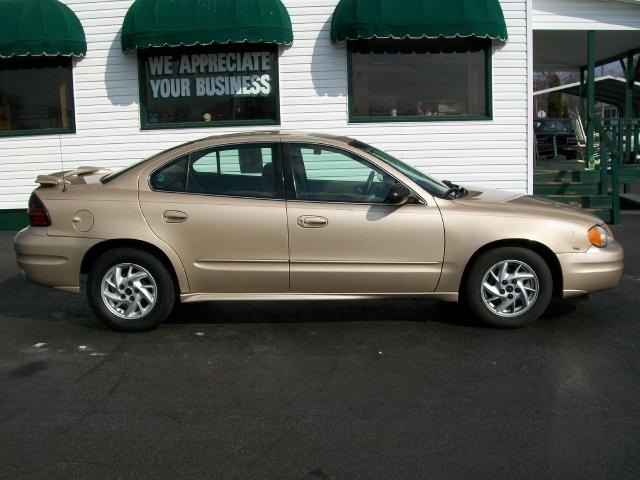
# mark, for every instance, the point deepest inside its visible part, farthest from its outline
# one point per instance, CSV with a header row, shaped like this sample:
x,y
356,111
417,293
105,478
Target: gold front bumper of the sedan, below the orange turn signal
x,y
594,270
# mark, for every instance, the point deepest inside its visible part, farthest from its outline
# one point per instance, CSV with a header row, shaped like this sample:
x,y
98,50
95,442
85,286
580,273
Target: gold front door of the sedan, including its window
x,y
344,238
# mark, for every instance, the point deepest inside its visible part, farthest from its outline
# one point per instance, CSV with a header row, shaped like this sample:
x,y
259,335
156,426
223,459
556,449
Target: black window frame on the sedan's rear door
x,y
276,159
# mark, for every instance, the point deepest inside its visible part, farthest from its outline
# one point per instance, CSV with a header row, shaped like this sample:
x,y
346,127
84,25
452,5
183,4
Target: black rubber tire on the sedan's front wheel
x,y
482,304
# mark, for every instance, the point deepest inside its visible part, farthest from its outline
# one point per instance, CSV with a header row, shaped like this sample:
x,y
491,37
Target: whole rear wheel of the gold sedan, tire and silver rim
x,y
130,290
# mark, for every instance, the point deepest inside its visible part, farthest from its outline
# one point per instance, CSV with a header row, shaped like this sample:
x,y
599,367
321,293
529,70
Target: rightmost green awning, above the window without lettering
x,y
415,19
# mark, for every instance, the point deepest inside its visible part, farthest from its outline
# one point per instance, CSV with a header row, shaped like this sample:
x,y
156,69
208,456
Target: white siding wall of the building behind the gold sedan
x,y
313,91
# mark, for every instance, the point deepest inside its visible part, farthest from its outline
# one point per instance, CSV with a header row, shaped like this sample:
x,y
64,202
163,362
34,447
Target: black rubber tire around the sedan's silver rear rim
x,y
165,291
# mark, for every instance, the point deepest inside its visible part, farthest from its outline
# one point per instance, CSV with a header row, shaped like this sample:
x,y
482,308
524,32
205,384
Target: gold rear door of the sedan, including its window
x,y
223,211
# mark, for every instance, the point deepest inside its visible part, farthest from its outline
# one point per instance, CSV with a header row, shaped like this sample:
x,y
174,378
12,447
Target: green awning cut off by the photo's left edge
x,y
40,27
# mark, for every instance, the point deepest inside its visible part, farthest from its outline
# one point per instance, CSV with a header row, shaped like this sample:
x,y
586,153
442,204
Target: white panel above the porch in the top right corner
x,y
585,15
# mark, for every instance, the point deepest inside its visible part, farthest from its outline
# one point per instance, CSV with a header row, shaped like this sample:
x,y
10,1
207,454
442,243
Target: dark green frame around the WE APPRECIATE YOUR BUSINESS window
x,y
142,88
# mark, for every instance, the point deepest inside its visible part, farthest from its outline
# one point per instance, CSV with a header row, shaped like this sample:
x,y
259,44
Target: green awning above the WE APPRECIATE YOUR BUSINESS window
x,y
172,23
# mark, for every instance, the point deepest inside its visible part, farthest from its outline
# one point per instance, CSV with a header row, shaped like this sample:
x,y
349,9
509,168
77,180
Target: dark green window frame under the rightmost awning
x,y
488,49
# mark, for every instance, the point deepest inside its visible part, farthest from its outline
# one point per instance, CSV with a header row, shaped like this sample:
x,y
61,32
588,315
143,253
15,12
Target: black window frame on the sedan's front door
x,y
289,182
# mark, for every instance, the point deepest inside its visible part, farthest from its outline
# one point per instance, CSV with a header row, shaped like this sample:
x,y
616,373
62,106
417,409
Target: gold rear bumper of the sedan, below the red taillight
x,y
51,261
